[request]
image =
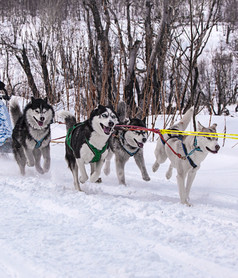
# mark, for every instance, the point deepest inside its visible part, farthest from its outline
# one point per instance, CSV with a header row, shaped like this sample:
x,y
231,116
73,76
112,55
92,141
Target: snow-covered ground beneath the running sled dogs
x,y
47,229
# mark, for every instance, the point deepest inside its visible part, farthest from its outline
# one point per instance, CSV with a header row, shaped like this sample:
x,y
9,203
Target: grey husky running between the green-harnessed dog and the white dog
x,y
125,144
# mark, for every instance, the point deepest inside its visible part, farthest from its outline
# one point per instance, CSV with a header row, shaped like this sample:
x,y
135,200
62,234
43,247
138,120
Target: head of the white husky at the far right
x,y
208,143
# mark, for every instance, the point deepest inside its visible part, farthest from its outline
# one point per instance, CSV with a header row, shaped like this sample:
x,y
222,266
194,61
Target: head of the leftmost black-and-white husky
x,y
39,114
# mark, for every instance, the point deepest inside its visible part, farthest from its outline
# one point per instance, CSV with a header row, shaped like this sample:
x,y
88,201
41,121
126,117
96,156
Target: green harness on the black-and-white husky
x,y
97,153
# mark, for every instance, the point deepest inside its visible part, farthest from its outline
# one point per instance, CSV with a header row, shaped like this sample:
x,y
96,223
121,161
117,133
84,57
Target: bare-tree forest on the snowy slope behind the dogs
x,y
150,53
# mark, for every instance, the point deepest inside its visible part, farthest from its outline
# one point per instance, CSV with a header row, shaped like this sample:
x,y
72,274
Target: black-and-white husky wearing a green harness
x,y
87,142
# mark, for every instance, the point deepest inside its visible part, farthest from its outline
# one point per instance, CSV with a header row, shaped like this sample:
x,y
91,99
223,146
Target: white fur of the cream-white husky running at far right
x,y
185,171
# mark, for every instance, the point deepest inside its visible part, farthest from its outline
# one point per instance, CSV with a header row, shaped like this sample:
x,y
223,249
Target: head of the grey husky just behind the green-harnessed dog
x,y
136,138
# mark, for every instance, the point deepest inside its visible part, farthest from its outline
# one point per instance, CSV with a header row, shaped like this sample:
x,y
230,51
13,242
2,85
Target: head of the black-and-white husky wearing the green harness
x,y
103,120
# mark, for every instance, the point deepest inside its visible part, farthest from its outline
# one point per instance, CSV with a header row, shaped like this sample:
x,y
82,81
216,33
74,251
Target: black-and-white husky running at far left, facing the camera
x,y
31,134
